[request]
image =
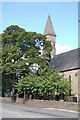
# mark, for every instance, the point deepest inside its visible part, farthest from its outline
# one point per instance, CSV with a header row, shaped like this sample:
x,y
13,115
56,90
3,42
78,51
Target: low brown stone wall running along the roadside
x,y
44,103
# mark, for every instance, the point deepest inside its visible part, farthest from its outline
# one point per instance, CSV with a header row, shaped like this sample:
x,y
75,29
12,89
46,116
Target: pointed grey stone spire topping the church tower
x,y
49,29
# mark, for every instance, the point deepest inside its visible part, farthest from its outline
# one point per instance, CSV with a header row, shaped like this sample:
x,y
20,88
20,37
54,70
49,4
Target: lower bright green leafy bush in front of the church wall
x,y
46,82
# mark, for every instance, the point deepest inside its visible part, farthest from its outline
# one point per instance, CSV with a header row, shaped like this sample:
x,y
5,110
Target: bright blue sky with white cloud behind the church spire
x,y
32,16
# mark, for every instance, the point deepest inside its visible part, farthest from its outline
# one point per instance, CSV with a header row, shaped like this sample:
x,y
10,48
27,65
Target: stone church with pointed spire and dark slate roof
x,y
66,63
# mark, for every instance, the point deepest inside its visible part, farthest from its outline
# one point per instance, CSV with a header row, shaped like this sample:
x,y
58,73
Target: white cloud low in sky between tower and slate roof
x,y
61,49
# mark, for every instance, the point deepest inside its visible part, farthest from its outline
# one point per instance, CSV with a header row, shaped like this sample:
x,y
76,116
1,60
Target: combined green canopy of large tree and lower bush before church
x,y
25,57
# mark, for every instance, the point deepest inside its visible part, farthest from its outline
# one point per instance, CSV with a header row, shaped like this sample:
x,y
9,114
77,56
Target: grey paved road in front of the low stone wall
x,y
25,111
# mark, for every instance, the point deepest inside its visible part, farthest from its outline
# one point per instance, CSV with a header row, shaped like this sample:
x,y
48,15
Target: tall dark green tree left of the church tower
x,y
20,51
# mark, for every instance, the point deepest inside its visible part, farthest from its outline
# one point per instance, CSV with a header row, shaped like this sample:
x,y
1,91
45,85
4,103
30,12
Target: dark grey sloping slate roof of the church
x,y
66,61
